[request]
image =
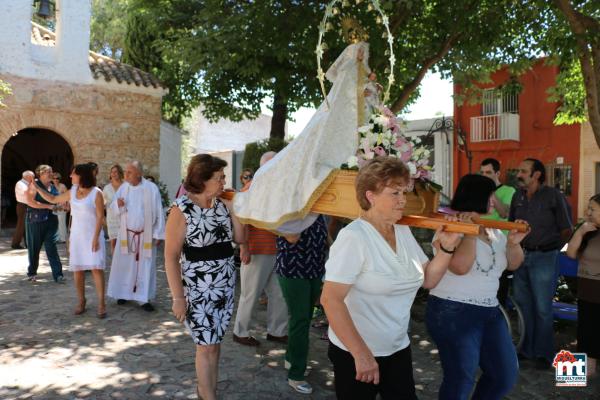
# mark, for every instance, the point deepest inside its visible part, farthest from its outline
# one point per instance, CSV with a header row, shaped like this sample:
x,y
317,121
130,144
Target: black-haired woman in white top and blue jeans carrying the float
x,y
463,316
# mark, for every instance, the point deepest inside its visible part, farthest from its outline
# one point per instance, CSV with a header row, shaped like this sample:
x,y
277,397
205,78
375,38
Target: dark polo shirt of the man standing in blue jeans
x,y
547,213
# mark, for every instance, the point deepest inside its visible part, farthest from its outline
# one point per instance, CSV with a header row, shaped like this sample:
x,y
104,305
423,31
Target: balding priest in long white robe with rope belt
x,y
142,227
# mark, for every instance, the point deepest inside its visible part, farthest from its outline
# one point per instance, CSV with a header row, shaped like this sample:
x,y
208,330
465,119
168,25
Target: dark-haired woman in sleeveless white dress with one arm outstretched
x,y
86,247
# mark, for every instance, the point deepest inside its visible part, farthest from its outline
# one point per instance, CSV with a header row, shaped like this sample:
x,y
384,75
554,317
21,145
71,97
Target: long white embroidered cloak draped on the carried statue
x,y
302,170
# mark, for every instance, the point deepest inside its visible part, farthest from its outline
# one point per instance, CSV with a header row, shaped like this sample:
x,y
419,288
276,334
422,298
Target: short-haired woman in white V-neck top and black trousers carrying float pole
x,y
374,270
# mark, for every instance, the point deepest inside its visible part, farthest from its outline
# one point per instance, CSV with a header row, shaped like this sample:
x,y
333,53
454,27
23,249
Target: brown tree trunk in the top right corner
x,y
584,28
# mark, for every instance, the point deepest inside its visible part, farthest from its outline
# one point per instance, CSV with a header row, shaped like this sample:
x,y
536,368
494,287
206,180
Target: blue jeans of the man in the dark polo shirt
x,y
534,285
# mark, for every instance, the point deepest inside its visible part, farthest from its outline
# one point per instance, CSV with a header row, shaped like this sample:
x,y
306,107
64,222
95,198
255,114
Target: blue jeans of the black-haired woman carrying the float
x,y
468,337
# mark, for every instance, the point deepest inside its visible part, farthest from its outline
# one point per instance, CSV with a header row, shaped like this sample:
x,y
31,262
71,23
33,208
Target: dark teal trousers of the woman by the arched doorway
x,y
46,234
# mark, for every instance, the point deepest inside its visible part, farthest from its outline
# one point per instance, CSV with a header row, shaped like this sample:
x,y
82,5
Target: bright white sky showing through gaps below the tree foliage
x,y
436,99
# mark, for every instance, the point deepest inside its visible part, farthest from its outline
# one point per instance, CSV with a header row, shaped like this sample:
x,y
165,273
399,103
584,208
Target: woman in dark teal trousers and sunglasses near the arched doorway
x,y
42,226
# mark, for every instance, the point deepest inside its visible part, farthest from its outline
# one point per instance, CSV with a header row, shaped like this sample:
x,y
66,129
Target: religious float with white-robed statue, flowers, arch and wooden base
x,y
317,170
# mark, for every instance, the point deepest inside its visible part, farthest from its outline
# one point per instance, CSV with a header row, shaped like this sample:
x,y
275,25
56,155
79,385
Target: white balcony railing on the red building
x,y
495,127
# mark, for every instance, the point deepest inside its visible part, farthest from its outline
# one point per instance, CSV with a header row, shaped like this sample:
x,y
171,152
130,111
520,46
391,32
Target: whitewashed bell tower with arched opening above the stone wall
x,y
34,52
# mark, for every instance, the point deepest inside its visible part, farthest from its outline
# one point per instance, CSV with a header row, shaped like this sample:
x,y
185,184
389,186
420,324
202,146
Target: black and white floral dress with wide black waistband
x,y
208,270
